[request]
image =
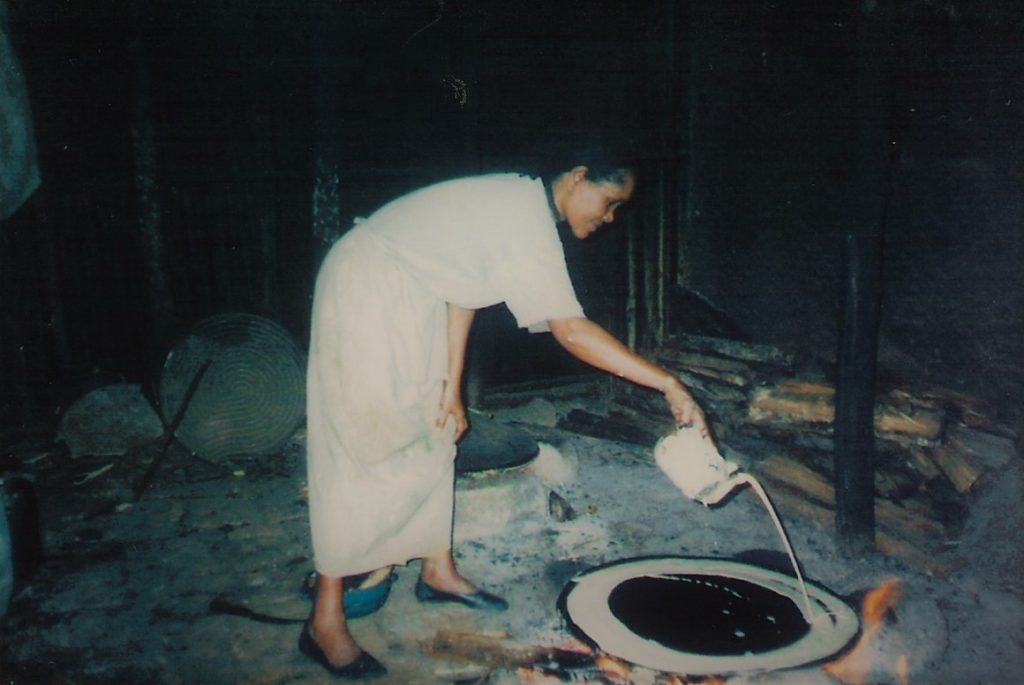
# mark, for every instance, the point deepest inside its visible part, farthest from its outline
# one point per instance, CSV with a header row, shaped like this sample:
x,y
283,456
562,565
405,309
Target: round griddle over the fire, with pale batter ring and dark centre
x,y
706,617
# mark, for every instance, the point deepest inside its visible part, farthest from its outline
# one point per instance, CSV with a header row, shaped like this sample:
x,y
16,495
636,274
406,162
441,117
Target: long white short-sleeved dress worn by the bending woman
x,y
381,477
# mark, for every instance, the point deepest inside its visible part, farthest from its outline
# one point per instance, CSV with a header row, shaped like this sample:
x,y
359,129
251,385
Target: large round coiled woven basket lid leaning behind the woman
x,y
251,398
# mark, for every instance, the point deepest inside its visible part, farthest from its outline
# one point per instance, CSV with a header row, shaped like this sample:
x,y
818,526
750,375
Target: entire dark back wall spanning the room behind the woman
x,y
265,127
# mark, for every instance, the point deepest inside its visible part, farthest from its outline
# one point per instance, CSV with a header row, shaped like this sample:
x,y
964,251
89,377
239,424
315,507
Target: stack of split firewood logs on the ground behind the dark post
x,y
933,446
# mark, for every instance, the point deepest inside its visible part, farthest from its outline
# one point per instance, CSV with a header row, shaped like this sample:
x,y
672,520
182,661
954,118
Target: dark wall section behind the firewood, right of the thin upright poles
x,y
779,122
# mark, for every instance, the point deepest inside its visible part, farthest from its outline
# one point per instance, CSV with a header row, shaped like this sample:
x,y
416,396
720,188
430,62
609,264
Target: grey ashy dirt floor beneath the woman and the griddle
x,y
125,591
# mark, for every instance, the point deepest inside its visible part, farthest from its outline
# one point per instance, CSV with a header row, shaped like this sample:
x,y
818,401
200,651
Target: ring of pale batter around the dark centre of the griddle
x,y
586,606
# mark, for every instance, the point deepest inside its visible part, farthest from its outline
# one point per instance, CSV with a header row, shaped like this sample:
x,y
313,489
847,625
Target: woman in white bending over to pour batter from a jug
x,y
393,311
